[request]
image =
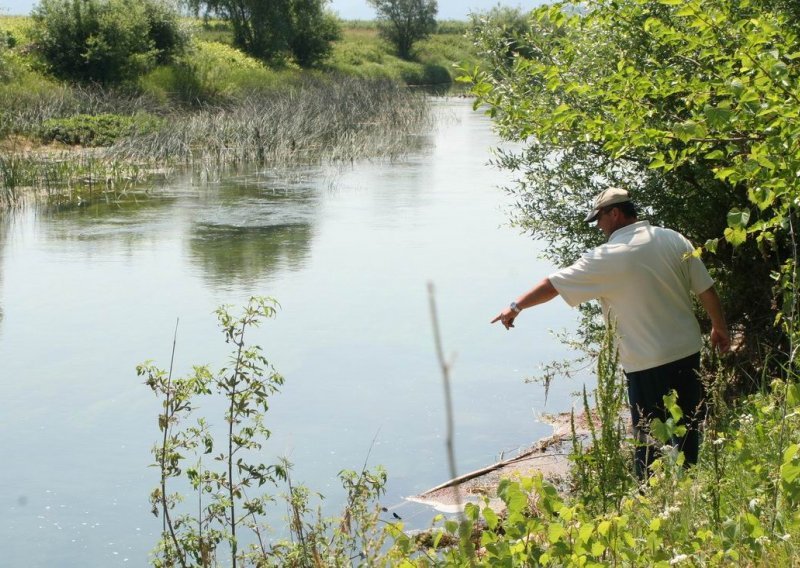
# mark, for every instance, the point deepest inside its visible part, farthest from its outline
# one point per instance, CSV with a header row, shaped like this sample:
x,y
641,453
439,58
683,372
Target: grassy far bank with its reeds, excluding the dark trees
x,y
214,105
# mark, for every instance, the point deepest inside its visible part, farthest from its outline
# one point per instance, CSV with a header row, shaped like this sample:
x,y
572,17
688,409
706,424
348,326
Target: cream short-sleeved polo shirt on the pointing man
x,y
643,279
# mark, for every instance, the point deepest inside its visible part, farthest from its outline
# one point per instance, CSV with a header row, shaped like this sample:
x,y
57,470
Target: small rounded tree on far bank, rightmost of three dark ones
x,y
403,22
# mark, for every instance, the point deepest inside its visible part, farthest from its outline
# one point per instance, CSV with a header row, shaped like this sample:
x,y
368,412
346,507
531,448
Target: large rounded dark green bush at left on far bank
x,y
105,41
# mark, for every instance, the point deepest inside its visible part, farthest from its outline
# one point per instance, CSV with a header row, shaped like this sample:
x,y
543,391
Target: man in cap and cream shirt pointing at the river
x,y
643,277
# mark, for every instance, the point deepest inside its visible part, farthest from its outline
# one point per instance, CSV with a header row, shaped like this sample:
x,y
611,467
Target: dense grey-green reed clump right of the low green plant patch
x,y
322,119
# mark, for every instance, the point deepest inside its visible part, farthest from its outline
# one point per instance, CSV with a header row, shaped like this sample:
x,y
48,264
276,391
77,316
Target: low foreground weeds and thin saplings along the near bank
x,y
738,505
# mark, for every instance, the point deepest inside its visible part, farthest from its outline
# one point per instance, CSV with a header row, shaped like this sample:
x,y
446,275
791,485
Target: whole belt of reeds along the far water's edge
x,y
318,119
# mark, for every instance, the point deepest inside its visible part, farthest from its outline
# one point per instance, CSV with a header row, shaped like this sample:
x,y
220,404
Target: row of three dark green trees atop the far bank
x,y
114,41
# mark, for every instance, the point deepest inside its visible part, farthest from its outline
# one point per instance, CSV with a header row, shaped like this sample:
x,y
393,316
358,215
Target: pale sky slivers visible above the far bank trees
x,y
349,9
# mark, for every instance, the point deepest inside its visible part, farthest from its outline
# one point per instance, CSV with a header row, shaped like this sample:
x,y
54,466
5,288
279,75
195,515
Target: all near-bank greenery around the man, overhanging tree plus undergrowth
x,y
693,105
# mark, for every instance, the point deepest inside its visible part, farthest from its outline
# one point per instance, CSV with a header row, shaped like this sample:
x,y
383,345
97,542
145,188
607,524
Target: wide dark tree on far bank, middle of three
x,y
302,30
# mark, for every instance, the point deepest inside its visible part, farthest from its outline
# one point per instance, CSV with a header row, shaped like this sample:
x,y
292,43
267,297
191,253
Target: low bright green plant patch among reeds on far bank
x,y
98,130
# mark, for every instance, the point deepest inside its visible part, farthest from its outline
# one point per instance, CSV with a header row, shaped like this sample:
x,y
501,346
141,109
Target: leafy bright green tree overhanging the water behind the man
x,y
691,104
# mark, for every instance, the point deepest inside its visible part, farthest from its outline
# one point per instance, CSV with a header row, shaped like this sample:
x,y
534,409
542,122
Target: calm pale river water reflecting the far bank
x,y
87,293
